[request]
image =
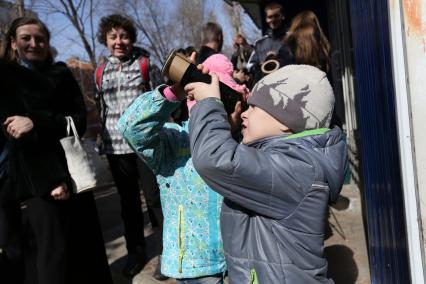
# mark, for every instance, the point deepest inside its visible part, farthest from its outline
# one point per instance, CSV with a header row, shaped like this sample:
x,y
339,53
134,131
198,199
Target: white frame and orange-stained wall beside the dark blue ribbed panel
x,y
407,19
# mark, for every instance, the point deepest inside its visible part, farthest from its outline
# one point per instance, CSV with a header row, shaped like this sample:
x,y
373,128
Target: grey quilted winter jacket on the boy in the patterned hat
x,y
276,193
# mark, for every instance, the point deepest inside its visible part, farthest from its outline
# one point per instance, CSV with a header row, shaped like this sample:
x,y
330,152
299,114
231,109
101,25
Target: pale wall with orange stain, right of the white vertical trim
x,y
414,12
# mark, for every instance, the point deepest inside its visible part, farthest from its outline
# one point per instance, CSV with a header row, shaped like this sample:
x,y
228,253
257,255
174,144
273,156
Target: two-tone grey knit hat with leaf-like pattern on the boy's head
x,y
298,96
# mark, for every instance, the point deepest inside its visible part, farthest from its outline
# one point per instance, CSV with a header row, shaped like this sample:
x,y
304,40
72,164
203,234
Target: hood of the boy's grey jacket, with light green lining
x,y
327,147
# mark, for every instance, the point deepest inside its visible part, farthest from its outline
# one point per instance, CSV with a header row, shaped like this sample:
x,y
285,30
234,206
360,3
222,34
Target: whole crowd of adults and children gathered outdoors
x,y
239,194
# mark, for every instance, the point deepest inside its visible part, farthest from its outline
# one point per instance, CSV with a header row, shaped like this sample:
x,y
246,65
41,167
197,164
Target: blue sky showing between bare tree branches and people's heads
x,y
66,40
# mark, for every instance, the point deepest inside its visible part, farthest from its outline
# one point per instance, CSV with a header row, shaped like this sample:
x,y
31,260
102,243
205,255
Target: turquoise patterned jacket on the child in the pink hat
x,y
192,244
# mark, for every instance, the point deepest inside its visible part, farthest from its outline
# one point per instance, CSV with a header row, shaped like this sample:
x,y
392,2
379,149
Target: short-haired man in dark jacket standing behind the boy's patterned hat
x,y
268,46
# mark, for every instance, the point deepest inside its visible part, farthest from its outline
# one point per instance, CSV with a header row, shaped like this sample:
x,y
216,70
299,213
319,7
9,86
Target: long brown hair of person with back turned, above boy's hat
x,y
307,41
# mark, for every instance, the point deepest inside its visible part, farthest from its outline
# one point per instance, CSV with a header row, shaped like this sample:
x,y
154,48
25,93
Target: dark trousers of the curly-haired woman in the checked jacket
x,y
127,170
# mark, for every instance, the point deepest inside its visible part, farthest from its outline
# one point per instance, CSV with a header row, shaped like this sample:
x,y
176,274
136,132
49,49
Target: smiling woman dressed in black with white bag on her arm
x,y
63,239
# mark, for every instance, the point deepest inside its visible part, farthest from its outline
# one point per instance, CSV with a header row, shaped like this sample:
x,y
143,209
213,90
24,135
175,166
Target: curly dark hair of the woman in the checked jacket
x,y
110,22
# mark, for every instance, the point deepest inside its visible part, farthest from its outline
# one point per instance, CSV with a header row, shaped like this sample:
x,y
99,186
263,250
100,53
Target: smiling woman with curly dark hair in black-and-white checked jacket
x,y
122,82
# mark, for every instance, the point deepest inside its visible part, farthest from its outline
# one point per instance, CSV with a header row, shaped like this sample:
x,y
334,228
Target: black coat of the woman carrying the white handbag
x,y
37,161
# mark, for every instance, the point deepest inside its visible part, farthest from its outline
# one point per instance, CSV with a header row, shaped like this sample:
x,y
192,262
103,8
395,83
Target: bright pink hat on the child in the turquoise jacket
x,y
223,68
